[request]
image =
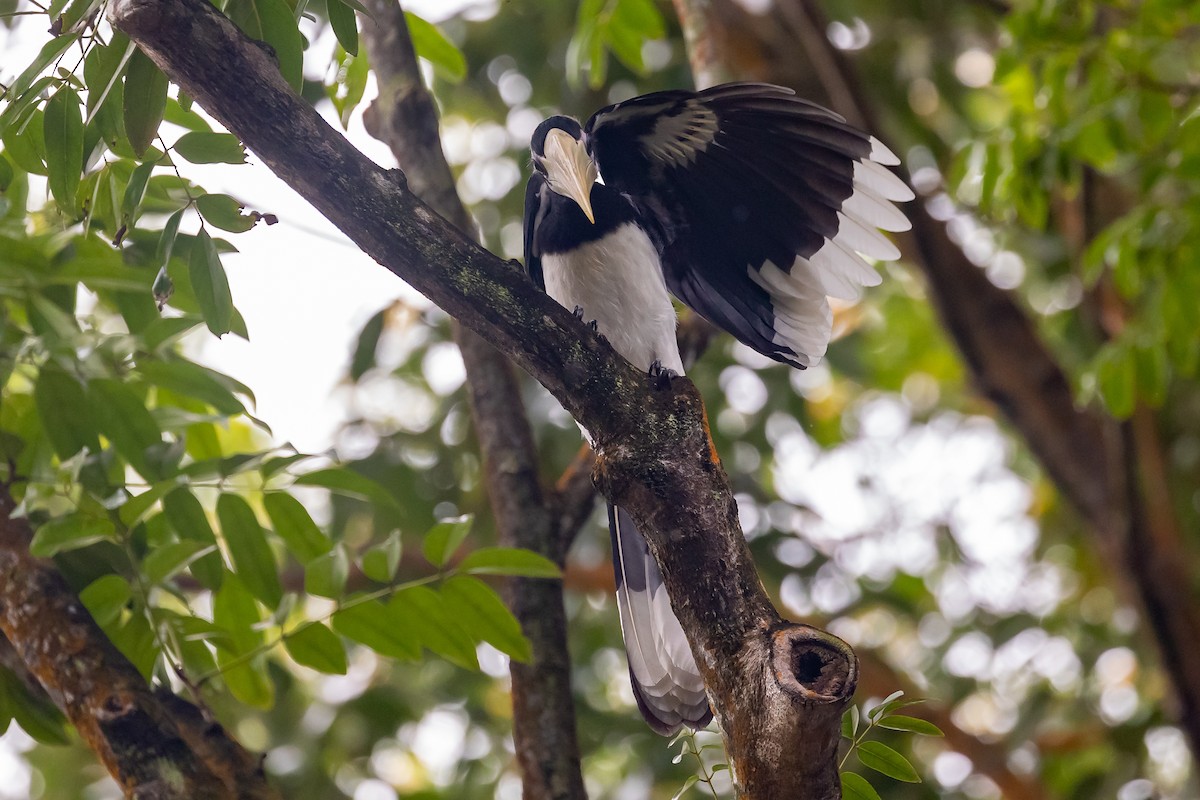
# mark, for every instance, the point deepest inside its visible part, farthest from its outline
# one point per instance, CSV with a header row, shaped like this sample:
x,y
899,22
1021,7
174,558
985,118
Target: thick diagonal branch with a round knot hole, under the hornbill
x,y
777,688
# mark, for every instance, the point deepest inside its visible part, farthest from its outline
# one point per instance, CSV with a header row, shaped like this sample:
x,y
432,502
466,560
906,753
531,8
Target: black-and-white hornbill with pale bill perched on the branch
x,y
752,207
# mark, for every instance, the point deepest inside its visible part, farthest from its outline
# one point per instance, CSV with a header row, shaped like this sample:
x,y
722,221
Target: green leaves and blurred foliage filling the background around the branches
x,y
881,497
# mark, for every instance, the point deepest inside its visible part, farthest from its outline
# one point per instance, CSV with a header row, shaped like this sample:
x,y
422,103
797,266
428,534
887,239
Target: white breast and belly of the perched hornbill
x,y
617,280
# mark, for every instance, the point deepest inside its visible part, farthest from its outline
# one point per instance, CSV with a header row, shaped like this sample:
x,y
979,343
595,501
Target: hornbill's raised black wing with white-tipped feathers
x,y
763,206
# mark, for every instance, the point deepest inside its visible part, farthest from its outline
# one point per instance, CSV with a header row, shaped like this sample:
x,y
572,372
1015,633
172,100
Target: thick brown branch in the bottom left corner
x,y
155,745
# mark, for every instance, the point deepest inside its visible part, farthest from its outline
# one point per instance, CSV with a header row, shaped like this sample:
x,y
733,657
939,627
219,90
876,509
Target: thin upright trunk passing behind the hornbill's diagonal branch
x,y
544,729
